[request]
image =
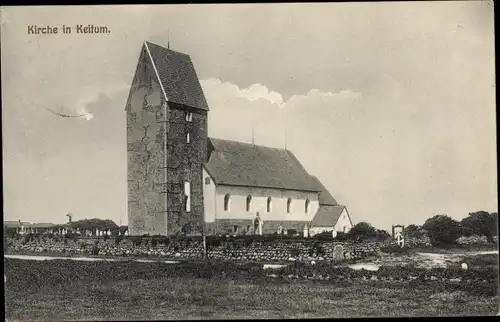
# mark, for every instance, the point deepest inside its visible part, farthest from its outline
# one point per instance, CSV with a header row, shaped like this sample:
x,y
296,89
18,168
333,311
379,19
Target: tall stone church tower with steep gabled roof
x,y
166,144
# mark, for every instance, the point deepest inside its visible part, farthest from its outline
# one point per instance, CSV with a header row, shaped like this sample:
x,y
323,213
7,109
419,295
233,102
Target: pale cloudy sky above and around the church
x,y
390,105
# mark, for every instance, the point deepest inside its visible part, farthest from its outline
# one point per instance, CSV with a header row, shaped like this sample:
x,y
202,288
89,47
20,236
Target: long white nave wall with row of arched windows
x,y
279,198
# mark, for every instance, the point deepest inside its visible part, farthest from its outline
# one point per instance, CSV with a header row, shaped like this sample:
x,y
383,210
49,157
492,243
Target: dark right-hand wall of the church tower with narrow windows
x,y
185,165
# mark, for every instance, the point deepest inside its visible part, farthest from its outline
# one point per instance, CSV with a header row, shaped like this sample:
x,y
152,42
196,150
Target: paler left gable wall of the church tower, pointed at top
x,y
146,128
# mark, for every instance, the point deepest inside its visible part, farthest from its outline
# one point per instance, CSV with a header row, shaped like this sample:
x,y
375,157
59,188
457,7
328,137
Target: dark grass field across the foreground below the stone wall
x,y
69,290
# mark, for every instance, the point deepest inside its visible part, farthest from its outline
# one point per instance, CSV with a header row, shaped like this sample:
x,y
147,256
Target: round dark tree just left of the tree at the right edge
x,y
442,229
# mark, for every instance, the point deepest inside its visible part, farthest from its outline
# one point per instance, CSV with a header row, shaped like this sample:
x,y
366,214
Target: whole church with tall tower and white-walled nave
x,y
181,182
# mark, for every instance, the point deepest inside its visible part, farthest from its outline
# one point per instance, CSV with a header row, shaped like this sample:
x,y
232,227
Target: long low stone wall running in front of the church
x,y
238,250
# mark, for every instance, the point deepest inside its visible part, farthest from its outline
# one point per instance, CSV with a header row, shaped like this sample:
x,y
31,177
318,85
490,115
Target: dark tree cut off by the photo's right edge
x,y
481,223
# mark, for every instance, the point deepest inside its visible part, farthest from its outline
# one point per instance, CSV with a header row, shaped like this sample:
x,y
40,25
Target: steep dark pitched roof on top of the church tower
x,y
177,76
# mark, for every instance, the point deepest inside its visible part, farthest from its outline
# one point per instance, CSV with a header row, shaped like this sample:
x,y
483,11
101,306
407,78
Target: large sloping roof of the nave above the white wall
x,y
243,164
